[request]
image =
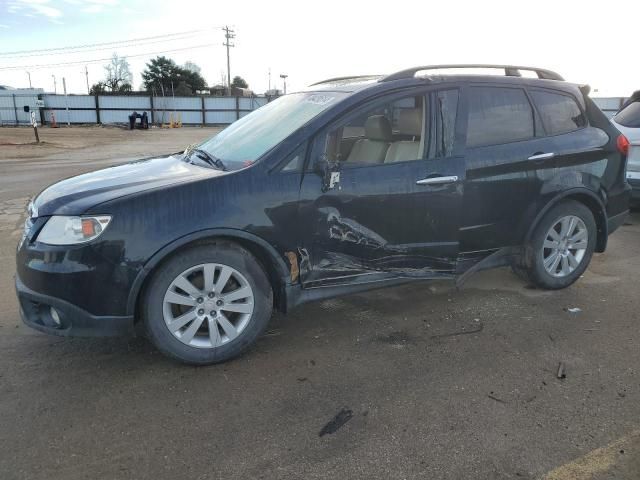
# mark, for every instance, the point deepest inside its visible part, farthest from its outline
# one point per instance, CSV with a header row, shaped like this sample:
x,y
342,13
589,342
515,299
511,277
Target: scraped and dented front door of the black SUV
x,y
395,211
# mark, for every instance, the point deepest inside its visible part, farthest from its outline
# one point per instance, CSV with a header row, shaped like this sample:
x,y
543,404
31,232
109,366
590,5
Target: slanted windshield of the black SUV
x,y
246,140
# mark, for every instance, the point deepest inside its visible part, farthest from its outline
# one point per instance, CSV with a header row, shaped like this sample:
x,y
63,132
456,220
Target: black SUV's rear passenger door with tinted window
x,y
505,154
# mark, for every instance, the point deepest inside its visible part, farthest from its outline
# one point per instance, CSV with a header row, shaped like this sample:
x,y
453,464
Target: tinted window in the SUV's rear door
x,y
498,115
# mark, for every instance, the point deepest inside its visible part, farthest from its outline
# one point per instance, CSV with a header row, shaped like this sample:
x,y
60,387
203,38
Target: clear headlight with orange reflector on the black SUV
x,y
72,230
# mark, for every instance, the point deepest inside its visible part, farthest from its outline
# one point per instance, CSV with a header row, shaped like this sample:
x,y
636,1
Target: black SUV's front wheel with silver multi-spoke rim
x,y
209,324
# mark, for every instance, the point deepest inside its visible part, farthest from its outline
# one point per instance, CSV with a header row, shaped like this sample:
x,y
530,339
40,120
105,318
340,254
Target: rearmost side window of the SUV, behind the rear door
x,y
560,113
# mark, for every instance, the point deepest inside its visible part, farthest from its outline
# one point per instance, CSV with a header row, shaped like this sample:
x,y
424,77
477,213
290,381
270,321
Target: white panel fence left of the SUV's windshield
x,y
82,109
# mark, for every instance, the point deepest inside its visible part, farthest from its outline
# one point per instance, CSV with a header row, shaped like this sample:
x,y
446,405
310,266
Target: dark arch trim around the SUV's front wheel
x,y
274,265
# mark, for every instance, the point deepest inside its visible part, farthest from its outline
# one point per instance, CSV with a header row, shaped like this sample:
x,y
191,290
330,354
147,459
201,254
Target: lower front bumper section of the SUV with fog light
x,y
35,309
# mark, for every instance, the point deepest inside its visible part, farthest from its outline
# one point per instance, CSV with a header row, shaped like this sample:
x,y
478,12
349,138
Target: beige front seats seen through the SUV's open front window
x,y
381,144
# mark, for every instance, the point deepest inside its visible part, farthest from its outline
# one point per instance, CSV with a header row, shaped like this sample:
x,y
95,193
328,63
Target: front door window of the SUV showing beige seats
x,y
386,132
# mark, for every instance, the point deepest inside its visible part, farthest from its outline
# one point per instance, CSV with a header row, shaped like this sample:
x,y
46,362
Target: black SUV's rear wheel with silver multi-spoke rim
x,y
567,270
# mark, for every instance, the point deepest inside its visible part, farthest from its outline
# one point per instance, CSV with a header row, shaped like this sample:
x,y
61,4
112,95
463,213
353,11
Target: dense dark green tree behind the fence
x,y
161,72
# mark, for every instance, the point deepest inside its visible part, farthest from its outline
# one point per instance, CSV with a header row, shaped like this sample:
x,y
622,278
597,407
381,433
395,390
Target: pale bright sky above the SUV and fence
x,y
586,42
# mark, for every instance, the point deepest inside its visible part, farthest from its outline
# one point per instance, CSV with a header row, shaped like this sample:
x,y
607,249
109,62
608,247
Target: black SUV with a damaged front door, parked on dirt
x,y
352,184
